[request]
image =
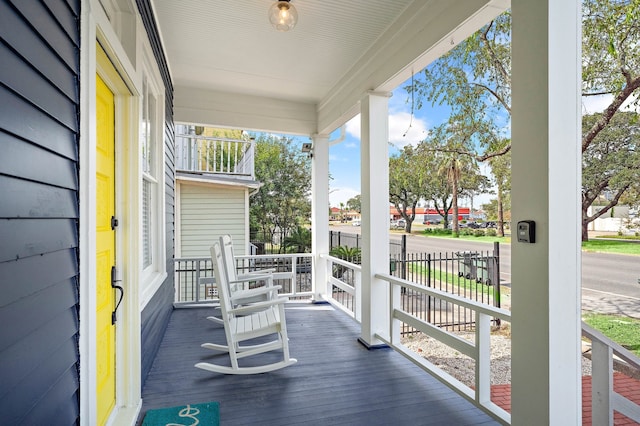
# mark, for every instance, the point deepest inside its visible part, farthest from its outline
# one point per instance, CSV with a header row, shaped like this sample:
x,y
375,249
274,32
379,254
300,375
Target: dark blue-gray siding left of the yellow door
x,y
39,111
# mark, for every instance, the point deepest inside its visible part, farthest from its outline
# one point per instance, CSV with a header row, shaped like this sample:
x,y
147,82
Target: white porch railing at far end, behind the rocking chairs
x,y
195,284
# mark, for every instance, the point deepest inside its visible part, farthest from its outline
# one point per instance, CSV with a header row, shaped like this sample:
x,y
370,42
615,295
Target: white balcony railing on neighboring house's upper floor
x,y
204,154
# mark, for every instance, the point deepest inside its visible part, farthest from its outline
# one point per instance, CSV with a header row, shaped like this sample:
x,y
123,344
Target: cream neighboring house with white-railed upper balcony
x,y
214,180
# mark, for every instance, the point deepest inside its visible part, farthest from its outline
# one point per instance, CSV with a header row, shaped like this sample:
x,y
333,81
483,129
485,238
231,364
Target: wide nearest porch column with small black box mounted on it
x,y
546,176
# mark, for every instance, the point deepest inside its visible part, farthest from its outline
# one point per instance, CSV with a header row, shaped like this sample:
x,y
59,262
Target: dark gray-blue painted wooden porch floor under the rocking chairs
x,y
336,380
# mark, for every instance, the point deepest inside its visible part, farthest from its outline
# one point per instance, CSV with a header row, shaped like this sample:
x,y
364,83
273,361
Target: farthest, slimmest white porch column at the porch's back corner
x,y
320,213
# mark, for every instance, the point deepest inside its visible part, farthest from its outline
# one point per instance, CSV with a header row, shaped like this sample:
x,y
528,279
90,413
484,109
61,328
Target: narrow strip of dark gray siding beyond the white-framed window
x,y
155,316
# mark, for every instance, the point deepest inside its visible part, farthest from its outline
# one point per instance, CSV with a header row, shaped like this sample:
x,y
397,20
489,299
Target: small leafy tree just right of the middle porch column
x,y
406,183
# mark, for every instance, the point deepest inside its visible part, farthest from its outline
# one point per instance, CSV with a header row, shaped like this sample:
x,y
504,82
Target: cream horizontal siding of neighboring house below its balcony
x,y
206,212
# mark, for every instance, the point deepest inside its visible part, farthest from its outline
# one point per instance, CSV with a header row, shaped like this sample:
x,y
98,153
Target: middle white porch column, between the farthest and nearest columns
x,y
374,156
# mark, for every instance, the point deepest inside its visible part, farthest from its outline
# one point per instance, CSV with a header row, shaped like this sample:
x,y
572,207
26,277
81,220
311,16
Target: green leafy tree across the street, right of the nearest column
x,y
610,165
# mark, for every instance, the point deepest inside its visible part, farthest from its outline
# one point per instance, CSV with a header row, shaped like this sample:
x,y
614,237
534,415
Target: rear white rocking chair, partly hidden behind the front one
x,y
240,292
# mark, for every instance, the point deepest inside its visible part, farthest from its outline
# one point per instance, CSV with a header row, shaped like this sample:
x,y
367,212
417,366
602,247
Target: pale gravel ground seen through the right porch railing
x,y
462,367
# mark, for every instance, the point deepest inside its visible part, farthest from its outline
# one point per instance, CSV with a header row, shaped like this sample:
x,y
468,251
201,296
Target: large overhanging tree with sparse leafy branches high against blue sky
x,y
476,74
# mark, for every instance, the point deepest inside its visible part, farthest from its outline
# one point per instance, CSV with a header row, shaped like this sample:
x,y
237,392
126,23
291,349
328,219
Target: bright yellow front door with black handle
x,y
105,250
